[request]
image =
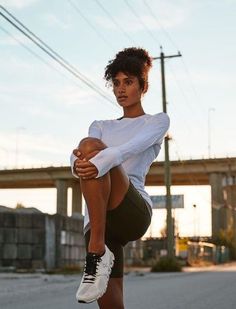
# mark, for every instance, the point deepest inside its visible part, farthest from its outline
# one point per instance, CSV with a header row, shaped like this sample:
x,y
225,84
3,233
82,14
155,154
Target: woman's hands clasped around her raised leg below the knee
x,y
83,167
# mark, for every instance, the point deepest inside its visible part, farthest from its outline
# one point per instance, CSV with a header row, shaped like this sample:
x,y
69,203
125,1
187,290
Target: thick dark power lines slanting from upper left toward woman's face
x,y
55,56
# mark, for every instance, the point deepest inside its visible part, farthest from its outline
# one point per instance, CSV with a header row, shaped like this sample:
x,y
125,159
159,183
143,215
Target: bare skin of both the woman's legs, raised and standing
x,y
101,194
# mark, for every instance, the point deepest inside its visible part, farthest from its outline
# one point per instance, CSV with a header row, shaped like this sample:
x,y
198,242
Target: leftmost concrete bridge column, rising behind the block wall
x,y
62,187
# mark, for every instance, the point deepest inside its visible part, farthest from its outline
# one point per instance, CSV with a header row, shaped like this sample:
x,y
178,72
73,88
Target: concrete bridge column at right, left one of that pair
x,y
218,210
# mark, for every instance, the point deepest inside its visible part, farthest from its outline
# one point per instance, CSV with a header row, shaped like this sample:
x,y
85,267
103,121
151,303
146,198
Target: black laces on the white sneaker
x,y
90,269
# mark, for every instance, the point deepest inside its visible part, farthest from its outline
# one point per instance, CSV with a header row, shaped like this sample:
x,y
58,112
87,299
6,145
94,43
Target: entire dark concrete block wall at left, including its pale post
x,y
40,241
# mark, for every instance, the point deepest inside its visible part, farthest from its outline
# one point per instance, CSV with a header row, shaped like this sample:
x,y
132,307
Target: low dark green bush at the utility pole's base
x,y
166,264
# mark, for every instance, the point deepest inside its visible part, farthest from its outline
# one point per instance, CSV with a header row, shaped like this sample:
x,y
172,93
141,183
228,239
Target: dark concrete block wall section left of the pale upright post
x,y
22,240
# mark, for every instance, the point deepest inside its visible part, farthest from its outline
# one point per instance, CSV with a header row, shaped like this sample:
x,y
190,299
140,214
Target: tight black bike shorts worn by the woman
x,y
127,222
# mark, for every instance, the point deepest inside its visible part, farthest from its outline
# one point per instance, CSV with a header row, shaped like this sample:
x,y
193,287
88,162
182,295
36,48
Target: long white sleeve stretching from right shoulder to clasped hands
x,y
151,133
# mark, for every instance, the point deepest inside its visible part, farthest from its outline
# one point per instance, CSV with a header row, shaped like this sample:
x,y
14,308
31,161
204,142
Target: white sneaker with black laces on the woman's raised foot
x,y
96,275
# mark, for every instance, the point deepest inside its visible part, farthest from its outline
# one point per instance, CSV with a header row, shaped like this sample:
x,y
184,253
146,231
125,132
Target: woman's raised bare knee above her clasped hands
x,y
89,145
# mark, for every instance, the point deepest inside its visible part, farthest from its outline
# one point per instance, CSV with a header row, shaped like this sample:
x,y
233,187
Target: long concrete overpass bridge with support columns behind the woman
x,y
219,173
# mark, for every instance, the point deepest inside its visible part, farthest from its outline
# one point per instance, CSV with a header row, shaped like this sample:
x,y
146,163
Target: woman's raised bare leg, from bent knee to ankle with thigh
x,y
101,194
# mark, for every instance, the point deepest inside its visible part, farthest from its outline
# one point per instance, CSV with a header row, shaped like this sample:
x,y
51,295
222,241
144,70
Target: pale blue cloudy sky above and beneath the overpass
x,y
45,110
